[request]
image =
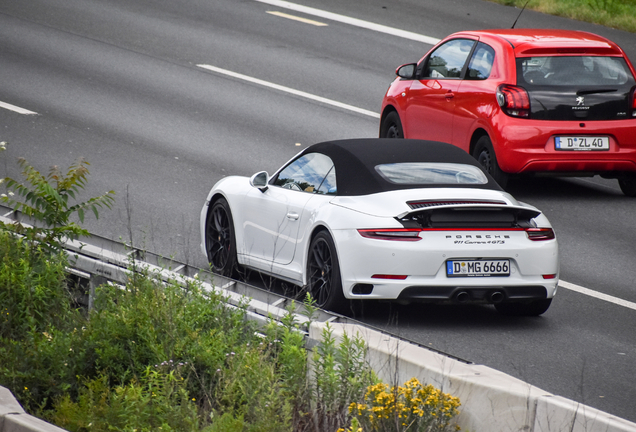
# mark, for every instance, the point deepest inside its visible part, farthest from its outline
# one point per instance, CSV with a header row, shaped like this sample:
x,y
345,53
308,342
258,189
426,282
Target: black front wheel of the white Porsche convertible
x,y
220,239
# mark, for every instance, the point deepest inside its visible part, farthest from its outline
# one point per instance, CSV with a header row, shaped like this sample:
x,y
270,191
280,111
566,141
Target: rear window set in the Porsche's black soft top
x,y
426,173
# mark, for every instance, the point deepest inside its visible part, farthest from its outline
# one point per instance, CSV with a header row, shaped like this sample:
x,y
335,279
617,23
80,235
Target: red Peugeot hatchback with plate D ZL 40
x,y
523,102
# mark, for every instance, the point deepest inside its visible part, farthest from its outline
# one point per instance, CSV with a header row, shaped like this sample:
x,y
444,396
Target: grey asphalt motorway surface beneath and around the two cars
x,y
118,83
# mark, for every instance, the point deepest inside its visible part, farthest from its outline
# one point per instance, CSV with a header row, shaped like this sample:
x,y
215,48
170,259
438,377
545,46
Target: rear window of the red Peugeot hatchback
x,y
573,71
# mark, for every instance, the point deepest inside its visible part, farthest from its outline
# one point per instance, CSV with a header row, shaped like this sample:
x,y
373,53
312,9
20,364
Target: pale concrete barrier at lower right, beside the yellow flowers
x,y
491,400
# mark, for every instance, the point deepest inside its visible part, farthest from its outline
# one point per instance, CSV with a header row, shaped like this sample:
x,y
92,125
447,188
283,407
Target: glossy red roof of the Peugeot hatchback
x,y
535,41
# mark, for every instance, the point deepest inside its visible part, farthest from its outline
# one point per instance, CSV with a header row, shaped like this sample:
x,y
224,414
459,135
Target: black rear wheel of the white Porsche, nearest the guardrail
x,y
324,282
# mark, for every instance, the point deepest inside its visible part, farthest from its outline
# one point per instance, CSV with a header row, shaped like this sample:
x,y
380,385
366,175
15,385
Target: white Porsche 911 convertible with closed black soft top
x,y
404,220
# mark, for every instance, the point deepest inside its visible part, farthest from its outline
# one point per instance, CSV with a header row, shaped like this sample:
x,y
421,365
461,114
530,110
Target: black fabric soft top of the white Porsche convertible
x,y
355,161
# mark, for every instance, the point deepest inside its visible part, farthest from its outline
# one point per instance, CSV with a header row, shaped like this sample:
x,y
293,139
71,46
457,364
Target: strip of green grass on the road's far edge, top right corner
x,y
618,14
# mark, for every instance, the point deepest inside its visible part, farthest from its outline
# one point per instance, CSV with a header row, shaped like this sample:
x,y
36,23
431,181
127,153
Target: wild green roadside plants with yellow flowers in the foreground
x,y
171,356
